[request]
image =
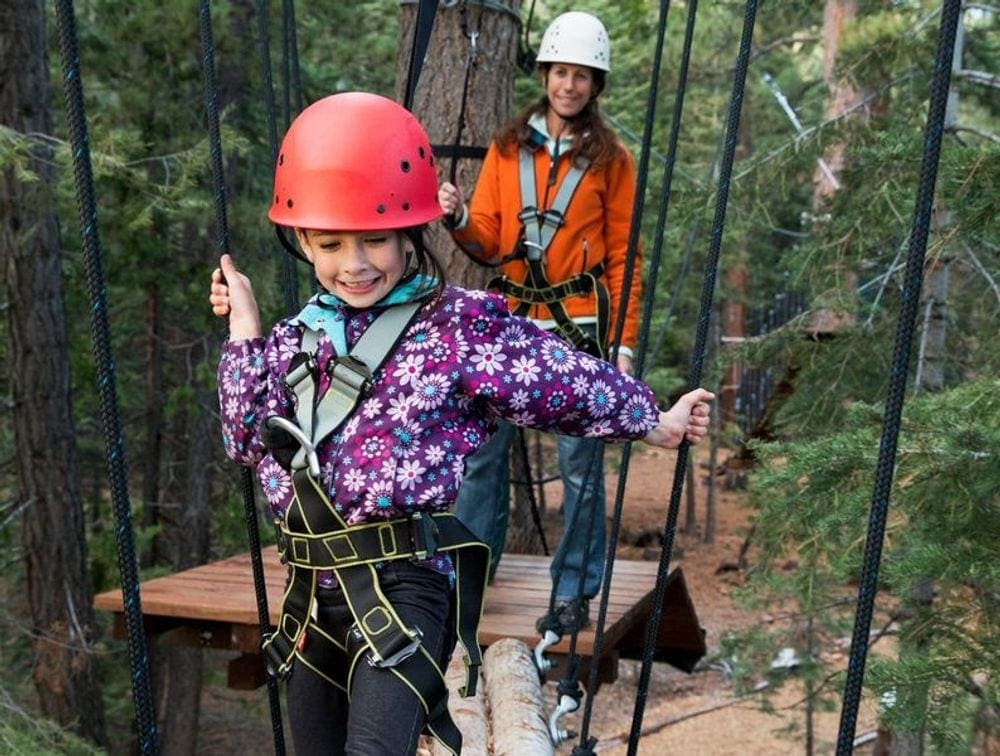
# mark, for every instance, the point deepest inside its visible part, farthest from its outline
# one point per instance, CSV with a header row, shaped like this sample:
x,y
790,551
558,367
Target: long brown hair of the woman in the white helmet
x,y
595,141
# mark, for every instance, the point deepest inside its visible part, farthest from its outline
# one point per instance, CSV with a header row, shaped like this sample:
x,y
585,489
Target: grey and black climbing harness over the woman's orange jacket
x,y
538,227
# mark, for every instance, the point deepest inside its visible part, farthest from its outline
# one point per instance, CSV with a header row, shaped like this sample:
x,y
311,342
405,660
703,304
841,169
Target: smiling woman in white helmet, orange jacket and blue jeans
x,y
552,210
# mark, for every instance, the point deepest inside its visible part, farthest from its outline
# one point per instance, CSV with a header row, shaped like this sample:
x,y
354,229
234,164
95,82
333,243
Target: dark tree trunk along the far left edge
x,y
59,593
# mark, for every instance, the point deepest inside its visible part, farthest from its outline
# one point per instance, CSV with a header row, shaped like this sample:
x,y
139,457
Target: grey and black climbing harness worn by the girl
x,y
314,537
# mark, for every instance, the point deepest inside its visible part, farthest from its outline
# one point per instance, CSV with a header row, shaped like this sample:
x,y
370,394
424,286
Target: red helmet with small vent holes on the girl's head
x,y
355,162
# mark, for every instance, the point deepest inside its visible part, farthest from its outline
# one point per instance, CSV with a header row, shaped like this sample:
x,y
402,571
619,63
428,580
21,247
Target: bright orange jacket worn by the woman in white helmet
x,y
596,229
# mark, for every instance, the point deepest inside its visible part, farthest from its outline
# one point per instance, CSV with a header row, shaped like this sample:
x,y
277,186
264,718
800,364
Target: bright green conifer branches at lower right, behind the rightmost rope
x,y
813,498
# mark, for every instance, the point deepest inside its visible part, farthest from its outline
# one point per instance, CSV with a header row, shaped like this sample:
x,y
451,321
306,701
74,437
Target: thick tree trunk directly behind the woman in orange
x,y
438,98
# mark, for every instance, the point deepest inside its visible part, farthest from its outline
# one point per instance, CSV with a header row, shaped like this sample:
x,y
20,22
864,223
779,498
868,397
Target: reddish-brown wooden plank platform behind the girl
x,y
214,606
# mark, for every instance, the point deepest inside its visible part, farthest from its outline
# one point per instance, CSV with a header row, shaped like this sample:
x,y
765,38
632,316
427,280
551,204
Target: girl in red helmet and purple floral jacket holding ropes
x,y
360,490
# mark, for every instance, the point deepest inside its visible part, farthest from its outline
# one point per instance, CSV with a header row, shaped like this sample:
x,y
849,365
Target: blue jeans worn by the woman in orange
x,y
483,504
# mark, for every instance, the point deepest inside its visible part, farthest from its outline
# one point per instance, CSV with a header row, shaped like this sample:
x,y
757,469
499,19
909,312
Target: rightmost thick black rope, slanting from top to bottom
x,y
884,469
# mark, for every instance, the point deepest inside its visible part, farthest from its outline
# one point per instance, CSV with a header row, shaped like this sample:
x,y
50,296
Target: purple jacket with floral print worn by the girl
x,y
463,362
